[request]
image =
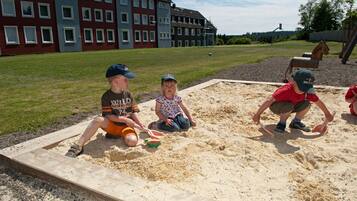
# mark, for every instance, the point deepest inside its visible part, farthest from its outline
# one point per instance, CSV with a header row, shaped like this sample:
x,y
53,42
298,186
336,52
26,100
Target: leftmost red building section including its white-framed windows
x,y
27,27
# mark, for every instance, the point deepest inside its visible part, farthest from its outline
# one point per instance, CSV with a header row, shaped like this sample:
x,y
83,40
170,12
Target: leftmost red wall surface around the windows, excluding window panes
x,y
20,21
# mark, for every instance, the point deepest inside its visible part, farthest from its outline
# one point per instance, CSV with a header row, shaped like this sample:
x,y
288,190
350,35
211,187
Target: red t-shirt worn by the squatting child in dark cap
x,y
287,93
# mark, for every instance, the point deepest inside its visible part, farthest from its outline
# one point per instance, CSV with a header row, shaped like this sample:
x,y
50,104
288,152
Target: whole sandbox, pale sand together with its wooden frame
x,y
226,157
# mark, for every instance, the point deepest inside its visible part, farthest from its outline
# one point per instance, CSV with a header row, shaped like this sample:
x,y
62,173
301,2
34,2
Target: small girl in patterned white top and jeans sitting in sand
x,y
169,107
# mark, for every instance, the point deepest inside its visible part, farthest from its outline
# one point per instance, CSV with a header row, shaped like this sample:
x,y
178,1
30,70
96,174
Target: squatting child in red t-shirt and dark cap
x,y
294,97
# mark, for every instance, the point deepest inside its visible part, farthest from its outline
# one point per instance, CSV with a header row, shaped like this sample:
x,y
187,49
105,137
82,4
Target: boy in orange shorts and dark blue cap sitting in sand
x,y
119,112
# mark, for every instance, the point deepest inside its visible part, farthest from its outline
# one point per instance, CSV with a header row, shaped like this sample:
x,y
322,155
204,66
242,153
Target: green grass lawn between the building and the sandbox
x,y
38,90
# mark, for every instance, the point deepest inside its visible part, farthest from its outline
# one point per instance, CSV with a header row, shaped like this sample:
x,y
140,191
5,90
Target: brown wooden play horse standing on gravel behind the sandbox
x,y
308,60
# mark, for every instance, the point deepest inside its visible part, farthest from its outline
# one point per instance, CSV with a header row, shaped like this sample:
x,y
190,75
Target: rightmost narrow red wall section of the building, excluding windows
x,y
145,11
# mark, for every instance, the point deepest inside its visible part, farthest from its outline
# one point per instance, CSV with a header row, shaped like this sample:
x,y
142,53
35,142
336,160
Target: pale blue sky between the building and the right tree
x,y
242,16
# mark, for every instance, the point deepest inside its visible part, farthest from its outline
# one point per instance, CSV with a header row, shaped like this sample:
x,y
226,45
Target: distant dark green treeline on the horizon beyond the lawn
x,y
248,38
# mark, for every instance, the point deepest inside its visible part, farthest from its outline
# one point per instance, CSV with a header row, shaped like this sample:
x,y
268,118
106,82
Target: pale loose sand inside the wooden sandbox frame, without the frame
x,y
227,157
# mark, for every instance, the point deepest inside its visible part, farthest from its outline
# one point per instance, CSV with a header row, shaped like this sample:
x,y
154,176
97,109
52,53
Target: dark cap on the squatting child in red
x,y
304,79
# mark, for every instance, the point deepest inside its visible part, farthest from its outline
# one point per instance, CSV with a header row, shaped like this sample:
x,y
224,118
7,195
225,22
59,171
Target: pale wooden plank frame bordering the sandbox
x,y
33,157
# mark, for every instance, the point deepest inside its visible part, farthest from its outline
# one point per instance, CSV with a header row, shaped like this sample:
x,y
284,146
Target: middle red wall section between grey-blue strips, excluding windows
x,y
98,25
